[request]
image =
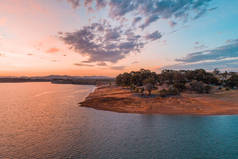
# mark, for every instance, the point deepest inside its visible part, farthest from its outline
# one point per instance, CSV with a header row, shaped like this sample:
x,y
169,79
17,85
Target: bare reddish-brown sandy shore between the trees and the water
x,y
122,100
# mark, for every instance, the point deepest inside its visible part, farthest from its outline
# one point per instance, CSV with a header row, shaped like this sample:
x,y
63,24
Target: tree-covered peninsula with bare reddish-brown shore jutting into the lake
x,y
169,96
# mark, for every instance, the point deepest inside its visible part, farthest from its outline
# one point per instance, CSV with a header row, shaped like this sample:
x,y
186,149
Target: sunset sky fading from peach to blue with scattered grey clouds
x,y
108,37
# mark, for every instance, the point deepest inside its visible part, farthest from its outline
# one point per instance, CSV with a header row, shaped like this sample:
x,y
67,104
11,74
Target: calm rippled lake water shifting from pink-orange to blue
x,y
42,120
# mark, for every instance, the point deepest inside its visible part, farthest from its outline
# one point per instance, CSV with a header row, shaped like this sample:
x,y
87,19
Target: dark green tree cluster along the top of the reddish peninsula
x,y
198,80
